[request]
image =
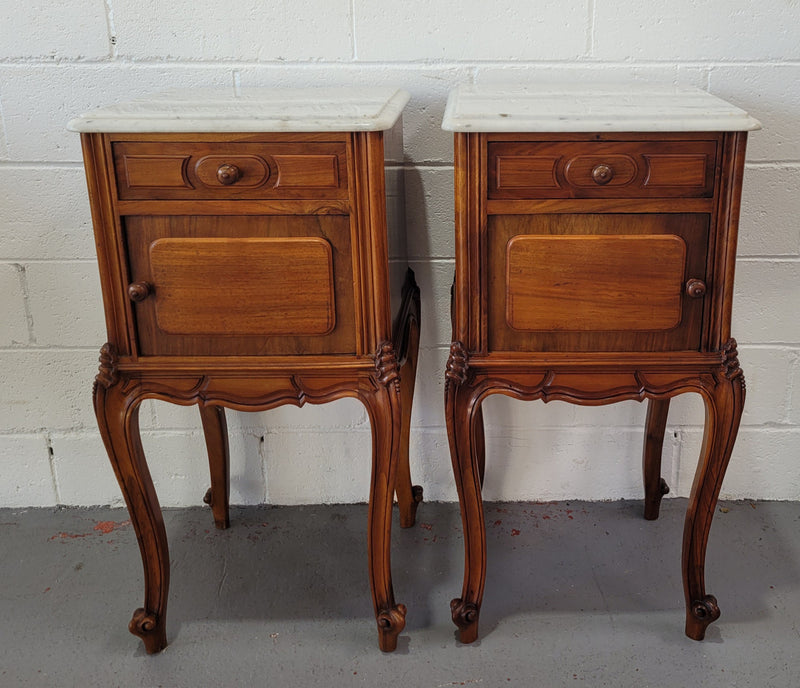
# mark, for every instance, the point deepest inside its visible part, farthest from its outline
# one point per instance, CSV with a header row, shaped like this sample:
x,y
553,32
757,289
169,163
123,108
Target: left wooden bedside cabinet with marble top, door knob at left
x,y
248,260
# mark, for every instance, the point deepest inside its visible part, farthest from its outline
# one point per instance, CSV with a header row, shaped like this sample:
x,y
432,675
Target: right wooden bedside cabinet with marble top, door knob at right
x,y
595,252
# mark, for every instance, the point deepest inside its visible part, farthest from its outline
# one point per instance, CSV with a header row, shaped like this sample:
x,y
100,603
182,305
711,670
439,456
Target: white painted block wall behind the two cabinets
x,y
57,60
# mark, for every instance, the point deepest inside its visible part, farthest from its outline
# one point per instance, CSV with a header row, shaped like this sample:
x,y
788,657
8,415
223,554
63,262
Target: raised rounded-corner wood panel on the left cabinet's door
x,y
249,286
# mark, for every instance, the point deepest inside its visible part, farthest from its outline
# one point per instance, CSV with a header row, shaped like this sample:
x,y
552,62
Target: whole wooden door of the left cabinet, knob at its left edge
x,y
249,285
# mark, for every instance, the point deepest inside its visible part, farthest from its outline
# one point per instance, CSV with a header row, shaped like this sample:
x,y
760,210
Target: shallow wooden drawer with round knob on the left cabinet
x,y
222,170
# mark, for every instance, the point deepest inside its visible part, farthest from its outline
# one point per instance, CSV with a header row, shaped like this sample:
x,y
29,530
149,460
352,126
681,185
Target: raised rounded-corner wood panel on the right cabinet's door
x,y
590,282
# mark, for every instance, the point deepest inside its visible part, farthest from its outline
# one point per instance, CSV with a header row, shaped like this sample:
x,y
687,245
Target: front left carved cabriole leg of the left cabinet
x,y
116,404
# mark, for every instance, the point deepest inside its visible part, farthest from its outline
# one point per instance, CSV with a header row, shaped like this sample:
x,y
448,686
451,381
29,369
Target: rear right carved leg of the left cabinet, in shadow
x,y
406,330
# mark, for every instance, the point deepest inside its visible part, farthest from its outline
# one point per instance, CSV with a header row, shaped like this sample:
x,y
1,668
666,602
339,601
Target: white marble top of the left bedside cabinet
x,y
256,110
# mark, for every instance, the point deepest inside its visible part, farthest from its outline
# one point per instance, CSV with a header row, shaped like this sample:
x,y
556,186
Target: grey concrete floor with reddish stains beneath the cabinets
x,y
577,594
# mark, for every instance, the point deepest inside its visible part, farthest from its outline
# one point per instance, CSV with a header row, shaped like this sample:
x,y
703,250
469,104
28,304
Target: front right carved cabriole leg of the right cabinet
x,y
724,399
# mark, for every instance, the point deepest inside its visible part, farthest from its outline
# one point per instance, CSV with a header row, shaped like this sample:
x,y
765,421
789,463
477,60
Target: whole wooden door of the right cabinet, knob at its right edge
x,y
593,282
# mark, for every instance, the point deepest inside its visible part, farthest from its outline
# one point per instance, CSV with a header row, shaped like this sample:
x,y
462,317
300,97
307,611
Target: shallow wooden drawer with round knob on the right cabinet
x,y
601,169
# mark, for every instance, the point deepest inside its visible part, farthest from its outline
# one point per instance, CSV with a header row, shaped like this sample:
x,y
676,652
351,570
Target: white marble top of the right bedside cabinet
x,y
586,108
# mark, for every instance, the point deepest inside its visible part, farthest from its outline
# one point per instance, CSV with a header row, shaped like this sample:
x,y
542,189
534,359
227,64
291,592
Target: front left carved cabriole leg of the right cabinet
x,y
462,412
